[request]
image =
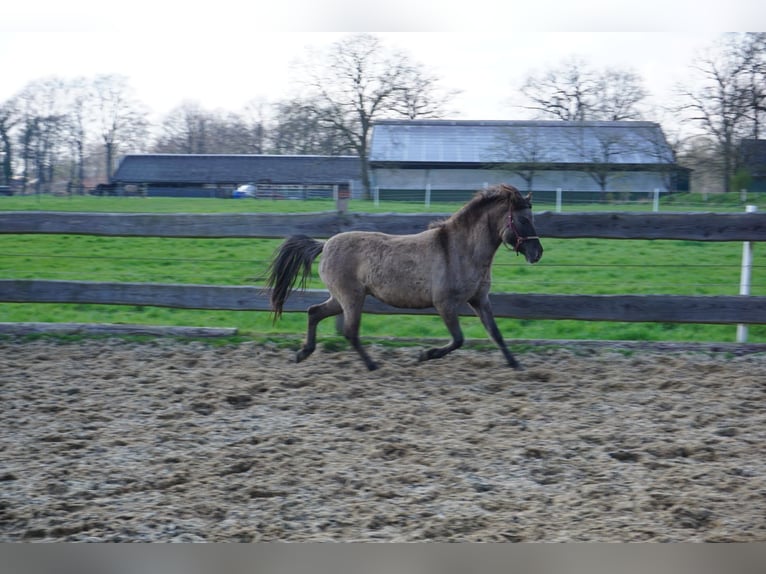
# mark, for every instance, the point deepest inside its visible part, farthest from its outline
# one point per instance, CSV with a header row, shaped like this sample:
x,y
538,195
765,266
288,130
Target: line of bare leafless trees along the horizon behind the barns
x,y
74,130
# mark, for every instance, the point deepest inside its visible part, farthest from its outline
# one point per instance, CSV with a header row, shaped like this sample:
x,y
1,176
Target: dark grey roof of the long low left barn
x,y
222,169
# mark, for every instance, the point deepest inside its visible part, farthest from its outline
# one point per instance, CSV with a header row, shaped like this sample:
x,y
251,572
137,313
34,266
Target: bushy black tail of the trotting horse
x,y
293,258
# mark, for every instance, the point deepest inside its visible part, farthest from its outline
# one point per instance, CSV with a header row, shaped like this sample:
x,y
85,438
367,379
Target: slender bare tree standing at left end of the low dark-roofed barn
x,y
121,119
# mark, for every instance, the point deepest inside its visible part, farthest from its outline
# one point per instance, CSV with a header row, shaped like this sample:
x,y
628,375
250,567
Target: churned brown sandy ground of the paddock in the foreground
x,y
107,440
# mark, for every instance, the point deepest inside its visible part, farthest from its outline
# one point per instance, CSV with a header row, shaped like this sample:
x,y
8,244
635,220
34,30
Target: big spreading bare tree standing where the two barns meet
x,y
358,81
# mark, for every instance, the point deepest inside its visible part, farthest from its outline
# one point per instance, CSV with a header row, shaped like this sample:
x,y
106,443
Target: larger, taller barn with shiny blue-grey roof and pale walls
x,y
451,158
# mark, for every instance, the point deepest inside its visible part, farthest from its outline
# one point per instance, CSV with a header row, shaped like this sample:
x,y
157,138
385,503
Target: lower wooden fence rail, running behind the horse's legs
x,y
631,308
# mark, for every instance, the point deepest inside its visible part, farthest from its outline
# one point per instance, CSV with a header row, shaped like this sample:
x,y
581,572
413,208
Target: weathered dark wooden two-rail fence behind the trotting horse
x,y
651,308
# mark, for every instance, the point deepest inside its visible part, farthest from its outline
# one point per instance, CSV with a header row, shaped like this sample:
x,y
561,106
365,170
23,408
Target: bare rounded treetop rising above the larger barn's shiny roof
x,y
573,91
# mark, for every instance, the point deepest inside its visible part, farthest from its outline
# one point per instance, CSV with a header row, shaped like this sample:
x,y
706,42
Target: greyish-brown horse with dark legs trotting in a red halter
x,y
443,267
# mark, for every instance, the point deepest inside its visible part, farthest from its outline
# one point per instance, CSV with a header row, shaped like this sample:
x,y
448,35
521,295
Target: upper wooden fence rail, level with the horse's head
x,y
600,225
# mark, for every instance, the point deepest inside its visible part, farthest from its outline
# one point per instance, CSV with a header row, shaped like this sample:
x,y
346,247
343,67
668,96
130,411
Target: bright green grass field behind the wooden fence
x,y
581,266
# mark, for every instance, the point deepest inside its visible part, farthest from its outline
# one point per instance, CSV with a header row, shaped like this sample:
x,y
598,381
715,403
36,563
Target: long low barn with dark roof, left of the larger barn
x,y
275,176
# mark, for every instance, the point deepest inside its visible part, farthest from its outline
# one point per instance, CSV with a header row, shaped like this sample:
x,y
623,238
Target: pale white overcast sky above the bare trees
x,y
223,54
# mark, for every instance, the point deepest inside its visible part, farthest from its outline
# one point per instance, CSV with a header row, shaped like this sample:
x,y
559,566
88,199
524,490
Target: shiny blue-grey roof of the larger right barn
x,y
547,142
